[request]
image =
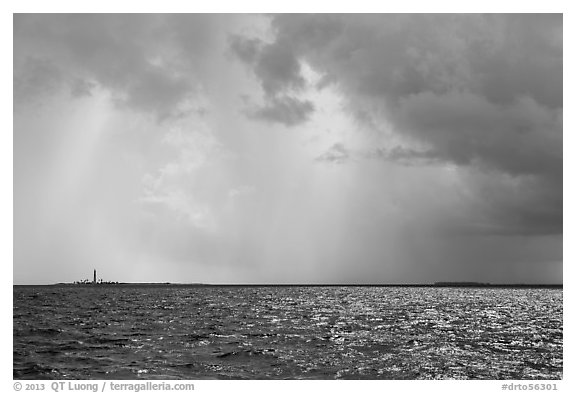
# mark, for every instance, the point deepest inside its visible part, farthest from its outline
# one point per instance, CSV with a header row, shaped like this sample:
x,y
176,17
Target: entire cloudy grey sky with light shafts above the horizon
x,y
319,148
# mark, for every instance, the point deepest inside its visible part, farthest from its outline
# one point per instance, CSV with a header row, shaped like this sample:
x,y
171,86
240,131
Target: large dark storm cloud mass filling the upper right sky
x,y
452,81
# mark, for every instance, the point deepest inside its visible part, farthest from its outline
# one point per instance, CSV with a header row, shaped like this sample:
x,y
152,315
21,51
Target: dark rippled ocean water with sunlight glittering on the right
x,y
286,333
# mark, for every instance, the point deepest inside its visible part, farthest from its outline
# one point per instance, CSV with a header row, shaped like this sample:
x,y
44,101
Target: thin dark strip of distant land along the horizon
x,y
446,284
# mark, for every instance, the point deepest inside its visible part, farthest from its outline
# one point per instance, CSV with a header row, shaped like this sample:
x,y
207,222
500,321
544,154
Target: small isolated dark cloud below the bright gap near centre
x,y
288,111
